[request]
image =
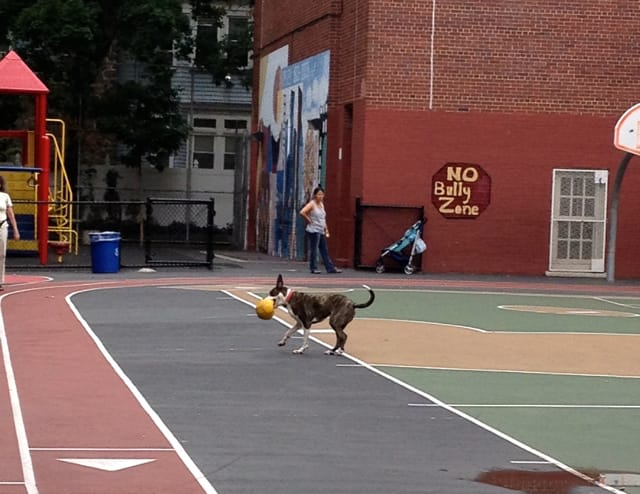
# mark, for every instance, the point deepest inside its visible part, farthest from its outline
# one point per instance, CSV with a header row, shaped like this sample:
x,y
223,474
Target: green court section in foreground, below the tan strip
x,y
588,423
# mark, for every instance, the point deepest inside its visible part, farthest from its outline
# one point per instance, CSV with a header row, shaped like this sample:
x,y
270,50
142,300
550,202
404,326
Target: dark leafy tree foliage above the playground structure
x,y
81,48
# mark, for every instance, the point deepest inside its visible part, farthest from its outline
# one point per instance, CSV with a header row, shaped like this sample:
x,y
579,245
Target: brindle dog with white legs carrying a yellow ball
x,y
308,309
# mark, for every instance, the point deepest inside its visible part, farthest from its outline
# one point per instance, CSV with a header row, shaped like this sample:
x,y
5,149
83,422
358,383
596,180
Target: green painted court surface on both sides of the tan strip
x,y
590,423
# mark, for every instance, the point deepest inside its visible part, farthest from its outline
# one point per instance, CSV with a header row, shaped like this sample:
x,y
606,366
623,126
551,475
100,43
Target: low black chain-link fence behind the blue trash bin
x,y
154,232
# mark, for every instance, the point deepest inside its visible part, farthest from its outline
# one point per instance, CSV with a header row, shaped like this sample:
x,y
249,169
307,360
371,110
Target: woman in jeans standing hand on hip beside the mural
x,y
317,232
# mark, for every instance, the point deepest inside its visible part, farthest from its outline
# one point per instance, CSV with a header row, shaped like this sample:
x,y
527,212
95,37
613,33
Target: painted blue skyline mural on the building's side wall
x,y
293,122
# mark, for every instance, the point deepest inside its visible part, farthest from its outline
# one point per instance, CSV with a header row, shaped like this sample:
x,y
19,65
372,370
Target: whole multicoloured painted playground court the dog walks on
x,y
171,384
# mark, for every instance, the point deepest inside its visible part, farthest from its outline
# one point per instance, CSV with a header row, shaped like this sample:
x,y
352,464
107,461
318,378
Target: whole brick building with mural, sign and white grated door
x,y
496,117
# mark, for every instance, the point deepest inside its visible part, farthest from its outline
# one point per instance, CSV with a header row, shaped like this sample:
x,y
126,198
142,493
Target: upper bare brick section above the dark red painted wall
x,y
573,56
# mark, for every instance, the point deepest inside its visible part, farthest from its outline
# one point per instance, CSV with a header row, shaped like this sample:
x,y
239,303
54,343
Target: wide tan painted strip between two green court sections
x,y
405,343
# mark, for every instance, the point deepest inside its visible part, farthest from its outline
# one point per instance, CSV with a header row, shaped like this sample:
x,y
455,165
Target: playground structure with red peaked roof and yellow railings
x,y
41,193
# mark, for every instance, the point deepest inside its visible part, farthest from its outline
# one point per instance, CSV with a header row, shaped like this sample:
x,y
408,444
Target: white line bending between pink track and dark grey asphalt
x,y
179,449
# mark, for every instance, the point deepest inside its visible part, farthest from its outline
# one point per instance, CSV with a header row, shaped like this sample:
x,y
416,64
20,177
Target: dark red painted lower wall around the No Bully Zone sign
x,y
519,152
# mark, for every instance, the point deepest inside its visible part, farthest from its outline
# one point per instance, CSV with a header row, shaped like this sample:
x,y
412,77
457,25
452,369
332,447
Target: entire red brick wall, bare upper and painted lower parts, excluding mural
x,y
519,88
